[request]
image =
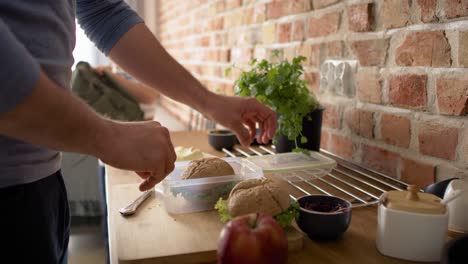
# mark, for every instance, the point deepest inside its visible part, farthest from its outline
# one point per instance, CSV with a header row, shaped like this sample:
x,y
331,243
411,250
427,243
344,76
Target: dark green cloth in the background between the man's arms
x,y
104,94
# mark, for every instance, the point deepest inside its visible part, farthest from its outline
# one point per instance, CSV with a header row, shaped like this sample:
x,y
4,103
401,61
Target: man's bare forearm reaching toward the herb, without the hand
x,y
139,53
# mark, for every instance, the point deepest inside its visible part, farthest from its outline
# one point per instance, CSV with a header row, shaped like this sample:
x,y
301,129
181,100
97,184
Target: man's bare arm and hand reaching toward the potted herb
x,y
140,53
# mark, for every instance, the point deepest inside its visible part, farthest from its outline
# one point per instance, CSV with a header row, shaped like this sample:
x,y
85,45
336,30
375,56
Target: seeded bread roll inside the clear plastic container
x,y
207,167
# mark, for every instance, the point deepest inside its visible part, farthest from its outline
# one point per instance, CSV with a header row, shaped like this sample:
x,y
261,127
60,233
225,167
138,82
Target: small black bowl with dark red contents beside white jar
x,y
324,221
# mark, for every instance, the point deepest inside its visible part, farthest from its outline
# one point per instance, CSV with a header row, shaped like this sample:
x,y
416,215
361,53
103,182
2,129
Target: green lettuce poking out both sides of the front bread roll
x,y
284,218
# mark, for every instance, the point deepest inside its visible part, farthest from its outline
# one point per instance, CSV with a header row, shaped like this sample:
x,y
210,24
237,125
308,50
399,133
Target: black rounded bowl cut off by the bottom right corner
x,y
455,251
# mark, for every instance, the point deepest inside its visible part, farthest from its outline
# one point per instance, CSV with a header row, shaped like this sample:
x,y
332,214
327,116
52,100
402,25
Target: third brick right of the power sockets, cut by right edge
x,y
452,96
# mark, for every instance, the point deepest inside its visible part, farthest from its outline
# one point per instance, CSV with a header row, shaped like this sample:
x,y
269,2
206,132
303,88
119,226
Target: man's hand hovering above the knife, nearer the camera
x,y
143,147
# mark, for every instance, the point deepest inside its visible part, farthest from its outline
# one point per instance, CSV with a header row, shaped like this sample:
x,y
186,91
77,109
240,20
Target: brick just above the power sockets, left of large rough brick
x,y
370,52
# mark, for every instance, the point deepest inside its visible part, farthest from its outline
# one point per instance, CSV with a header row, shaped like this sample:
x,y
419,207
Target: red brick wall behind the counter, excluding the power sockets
x,y
408,117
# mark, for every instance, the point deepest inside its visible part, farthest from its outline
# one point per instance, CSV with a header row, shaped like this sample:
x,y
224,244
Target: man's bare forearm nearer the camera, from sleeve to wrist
x,y
52,117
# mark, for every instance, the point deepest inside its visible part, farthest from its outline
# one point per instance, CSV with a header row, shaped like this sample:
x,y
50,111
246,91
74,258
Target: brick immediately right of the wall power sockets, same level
x,y
369,88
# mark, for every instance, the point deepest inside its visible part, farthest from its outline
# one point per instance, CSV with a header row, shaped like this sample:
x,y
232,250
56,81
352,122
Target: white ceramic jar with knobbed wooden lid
x,y
411,226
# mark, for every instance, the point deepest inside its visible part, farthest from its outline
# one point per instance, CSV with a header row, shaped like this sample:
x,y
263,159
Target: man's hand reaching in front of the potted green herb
x,y
241,115
